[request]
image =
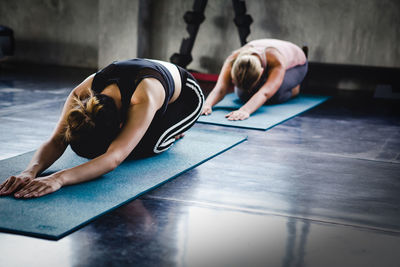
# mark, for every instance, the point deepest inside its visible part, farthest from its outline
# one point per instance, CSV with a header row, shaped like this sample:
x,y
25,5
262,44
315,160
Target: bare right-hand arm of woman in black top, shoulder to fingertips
x,y
146,101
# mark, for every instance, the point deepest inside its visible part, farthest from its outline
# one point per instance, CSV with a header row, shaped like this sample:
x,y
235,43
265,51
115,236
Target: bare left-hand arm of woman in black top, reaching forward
x,y
49,151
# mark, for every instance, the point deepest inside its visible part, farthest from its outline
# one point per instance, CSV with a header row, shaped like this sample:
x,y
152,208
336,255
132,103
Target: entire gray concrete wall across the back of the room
x,y
91,33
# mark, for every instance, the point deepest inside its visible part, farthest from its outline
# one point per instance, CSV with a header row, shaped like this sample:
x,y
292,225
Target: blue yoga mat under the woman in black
x,y
56,215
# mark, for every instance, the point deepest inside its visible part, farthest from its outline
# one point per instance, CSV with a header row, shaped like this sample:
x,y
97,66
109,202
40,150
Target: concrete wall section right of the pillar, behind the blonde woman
x,y
359,32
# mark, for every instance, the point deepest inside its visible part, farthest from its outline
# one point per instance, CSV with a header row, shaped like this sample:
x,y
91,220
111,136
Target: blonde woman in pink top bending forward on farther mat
x,y
263,71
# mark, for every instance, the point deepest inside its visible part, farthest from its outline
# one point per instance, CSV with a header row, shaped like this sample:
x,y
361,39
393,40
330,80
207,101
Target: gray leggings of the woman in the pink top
x,y
293,77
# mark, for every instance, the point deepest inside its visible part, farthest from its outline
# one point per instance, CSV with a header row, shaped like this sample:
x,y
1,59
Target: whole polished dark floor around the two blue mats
x,y
322,189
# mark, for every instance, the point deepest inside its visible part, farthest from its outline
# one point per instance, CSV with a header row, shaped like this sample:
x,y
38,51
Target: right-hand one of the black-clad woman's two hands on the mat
x,y
39,187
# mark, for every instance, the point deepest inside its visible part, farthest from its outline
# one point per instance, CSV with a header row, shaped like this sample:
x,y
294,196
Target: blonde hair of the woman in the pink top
x,y
246,69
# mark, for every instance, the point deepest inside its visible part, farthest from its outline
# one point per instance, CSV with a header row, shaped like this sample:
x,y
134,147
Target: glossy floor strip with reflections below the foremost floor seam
x,y
166,233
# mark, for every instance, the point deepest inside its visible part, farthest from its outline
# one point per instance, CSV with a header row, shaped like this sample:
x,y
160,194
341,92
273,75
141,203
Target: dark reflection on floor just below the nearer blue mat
x,y
125,232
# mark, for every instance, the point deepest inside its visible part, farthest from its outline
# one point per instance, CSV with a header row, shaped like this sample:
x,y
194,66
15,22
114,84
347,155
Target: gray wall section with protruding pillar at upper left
x,y
85,33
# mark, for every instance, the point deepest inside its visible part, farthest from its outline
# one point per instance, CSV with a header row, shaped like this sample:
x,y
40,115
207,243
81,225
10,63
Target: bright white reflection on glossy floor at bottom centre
x,y
208,237
